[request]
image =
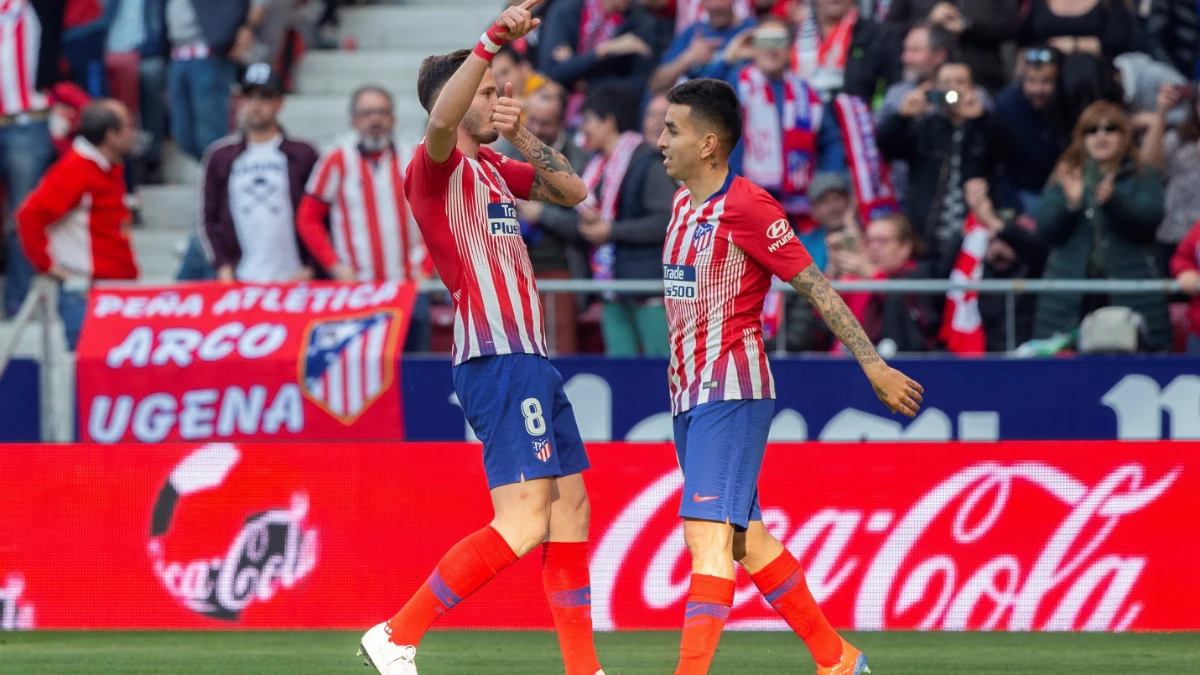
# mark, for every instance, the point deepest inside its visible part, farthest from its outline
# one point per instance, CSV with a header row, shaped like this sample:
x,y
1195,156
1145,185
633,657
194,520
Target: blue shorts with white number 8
x,y
517,407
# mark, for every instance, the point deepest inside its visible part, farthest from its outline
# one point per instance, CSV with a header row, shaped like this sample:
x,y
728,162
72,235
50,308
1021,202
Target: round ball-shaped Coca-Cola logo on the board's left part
x,y
268,552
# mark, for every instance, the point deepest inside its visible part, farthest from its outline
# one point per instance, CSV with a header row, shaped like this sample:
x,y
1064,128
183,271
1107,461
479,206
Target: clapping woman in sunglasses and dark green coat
x,y
1100,214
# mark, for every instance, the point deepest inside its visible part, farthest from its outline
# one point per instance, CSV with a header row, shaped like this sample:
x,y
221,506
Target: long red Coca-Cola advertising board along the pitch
x,y
1007,537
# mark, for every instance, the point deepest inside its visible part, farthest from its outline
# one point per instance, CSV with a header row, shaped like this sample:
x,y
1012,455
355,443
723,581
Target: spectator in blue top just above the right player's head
x,y
697,51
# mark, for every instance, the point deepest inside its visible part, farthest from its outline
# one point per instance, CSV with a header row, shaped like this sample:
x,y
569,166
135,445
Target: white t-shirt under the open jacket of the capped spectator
x,y
261,201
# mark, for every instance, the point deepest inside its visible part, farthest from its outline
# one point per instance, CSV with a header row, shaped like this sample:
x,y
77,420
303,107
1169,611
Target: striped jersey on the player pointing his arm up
x,y
466,210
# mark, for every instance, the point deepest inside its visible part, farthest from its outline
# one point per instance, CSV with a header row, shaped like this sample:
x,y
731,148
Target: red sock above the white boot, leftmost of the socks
x,y
466,569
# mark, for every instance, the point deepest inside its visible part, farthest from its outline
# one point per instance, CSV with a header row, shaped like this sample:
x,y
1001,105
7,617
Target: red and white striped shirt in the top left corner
x,y
21,37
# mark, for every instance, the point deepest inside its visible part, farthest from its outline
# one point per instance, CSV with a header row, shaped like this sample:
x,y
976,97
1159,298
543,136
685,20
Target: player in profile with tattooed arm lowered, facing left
x,y
727,240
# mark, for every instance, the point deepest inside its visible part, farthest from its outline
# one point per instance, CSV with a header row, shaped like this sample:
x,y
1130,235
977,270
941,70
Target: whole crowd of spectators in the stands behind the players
x,y
905,140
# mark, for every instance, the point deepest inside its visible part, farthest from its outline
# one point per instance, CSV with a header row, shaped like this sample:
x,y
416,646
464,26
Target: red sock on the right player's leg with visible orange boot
x,y
783,584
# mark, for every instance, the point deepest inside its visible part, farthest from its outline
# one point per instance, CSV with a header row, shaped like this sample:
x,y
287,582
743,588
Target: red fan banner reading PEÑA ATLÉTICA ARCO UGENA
x,y
207,362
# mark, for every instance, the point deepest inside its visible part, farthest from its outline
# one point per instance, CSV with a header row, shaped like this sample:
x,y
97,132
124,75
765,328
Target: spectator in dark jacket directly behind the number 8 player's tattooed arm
x,y
551,232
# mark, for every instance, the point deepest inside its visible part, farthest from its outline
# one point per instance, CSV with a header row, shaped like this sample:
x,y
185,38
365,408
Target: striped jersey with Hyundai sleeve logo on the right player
x,y
717,267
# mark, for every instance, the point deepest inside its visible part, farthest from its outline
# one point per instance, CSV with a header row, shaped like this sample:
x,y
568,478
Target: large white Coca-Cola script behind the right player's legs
x,y
1018,547
